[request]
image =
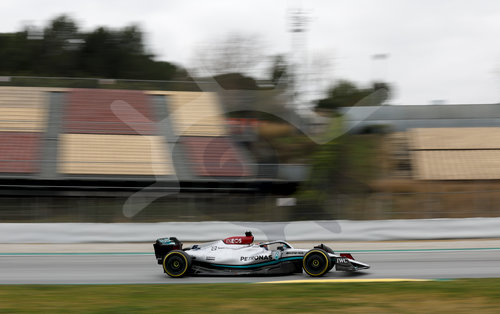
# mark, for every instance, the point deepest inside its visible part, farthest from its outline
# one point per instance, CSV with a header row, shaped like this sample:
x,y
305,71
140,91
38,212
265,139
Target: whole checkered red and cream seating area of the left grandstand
x,y
92,140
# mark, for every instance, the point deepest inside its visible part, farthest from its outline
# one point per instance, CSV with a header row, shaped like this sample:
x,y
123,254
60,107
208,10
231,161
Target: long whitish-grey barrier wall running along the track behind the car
x,y
327,230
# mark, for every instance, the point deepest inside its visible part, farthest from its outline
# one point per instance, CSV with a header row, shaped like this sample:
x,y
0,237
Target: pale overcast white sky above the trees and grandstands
x,y
445,51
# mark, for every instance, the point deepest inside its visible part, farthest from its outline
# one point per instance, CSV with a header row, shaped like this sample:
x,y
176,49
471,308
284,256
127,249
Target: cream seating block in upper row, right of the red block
x,y
195,113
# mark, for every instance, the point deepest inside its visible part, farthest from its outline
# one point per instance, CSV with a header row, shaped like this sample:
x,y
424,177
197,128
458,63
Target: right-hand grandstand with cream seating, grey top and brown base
x,y
435,160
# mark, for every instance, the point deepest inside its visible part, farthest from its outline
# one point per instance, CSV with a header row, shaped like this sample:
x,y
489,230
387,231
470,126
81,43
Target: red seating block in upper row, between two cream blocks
x,y
89,111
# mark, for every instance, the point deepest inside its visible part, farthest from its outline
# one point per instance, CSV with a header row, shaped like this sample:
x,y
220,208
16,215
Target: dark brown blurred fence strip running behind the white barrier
x,y
222,206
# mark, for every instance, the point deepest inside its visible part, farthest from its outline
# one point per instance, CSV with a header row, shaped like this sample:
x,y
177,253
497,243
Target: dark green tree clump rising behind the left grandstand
x,y
64,50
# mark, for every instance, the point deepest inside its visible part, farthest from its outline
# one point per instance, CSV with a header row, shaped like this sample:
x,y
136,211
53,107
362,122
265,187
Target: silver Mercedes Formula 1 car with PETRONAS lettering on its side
x,y
238,256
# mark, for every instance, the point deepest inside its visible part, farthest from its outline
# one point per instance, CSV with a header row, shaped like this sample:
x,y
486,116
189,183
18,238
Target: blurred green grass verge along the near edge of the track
x,y
456,296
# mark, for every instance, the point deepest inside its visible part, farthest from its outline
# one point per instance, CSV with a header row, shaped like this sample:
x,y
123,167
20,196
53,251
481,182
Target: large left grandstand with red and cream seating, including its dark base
x,y
66,155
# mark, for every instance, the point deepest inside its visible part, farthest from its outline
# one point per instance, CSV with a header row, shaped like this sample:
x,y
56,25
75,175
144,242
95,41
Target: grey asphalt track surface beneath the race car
x,y
141,268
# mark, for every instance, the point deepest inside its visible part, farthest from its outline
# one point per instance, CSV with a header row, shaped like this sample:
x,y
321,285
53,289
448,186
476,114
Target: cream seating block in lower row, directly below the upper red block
x,y
113,155
